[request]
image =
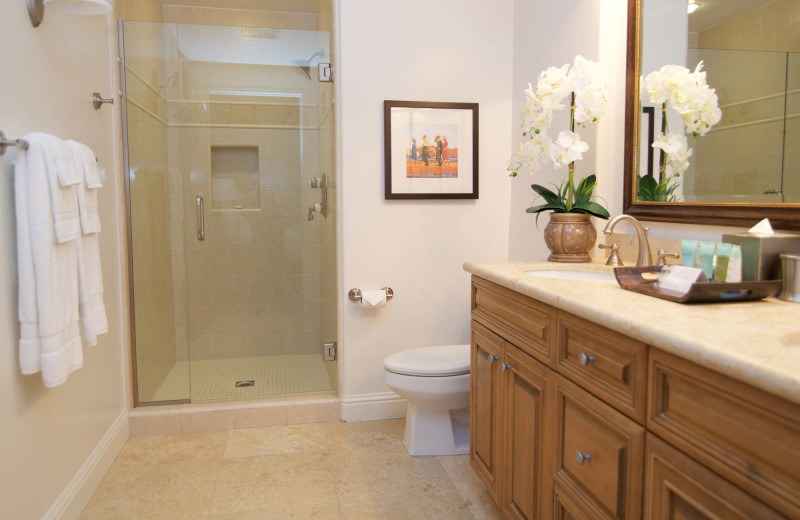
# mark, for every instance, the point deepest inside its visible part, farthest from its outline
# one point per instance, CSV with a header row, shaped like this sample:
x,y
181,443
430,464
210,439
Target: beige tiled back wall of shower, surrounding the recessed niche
x,y
253,284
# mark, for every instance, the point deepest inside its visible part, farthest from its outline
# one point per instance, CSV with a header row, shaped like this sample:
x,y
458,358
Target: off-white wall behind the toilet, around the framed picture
x,y
426,51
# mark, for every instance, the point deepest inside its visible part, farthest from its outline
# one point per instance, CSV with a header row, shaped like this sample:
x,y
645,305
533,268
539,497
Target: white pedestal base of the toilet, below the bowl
x,y
436,431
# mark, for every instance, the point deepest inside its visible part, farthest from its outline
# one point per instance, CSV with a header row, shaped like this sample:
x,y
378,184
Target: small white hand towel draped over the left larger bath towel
x,y
62,177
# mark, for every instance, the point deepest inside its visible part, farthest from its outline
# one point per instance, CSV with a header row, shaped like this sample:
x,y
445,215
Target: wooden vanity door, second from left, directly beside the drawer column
x,y
527,483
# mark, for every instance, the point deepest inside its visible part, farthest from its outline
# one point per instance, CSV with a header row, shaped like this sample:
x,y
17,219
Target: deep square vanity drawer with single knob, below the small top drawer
x,y
599,454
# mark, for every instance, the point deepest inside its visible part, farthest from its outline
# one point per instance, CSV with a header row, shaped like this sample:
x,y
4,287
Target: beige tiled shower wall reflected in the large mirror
x,y
743,156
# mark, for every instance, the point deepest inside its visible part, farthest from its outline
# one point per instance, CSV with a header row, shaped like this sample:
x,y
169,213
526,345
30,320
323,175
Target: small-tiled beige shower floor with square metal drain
x,y
272,375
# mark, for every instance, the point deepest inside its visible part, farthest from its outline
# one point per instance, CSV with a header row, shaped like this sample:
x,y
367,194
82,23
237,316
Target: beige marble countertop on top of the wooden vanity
x,y
755,342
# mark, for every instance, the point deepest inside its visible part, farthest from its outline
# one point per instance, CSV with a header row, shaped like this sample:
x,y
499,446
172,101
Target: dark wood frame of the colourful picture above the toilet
x,y
473,153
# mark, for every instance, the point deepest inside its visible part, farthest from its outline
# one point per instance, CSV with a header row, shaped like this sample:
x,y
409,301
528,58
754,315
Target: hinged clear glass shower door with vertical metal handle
x,y
247,128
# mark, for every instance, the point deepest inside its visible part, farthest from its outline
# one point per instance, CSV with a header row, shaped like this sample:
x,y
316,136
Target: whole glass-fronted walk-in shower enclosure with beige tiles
x,y
226,129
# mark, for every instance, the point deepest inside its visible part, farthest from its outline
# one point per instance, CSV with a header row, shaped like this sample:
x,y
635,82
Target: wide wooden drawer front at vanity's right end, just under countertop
x,y
747,436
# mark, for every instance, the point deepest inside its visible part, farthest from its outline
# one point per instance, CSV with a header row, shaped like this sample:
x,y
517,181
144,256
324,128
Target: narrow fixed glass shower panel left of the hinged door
x,y
159,297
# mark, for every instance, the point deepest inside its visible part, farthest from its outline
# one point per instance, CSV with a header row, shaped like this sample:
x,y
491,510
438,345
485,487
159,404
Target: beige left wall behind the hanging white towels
x,y
47,435
